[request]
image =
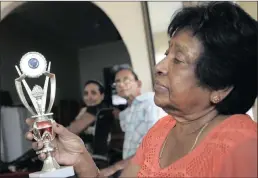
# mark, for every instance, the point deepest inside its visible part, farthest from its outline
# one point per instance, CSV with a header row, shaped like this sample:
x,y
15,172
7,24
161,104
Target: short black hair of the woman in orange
x,y
229,37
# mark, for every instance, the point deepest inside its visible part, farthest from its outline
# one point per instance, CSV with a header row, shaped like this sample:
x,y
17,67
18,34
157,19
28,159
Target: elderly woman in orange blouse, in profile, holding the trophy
x,y
206,83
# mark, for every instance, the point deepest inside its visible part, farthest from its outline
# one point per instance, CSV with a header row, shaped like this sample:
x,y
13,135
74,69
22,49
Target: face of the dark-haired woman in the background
x,y
92,95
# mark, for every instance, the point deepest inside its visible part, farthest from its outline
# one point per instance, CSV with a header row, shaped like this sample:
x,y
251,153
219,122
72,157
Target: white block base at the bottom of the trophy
x,y
62,172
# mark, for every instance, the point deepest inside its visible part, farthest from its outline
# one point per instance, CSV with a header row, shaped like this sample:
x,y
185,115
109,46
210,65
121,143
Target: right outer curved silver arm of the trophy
x,y
52,89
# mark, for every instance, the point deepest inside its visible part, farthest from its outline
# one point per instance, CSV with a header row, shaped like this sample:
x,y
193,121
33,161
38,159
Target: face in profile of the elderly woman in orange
x,y
176,86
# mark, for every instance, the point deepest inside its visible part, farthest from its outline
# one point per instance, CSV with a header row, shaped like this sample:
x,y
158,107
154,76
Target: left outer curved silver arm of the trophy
x,y
21,94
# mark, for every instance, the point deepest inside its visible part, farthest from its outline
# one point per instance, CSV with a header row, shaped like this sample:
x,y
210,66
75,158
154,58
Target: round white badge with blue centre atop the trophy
x,y
33,64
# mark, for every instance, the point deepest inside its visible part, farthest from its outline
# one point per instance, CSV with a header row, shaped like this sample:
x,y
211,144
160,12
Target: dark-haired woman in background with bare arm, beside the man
x,y
93,97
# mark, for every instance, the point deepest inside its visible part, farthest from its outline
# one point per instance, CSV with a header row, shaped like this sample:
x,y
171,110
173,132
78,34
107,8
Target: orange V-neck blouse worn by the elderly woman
x,y
229,150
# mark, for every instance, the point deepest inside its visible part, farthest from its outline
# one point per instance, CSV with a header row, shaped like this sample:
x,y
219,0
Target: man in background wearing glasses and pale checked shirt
x,y
135,121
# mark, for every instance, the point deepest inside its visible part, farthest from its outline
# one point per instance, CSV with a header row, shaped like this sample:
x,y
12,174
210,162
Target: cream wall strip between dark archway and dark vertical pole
x,y
128,19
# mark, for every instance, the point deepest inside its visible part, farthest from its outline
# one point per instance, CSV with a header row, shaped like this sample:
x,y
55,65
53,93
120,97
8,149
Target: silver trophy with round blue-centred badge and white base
x,y
34,65
